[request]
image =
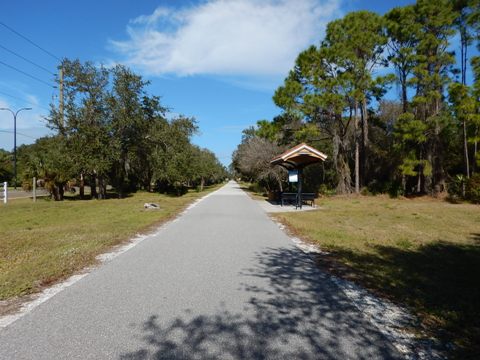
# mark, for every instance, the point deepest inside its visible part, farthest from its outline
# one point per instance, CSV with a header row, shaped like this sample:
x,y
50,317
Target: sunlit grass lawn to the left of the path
x,y
44,242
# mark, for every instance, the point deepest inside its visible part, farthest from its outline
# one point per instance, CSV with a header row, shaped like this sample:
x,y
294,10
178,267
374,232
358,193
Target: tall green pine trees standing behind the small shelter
x,y
338,97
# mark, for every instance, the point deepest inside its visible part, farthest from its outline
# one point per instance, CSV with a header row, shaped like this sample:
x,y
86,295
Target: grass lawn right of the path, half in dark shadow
x,y
422,253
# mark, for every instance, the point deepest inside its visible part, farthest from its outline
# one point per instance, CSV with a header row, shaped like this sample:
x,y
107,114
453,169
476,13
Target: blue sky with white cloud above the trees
x,y
219,61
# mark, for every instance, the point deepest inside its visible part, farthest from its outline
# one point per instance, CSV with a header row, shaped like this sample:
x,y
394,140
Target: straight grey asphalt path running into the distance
x,y
221,282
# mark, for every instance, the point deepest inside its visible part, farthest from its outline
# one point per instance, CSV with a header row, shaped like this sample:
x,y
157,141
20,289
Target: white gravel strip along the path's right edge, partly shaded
x,y
389,318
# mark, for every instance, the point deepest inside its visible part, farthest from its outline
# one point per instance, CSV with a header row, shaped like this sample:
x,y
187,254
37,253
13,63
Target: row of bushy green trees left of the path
x,y
112,132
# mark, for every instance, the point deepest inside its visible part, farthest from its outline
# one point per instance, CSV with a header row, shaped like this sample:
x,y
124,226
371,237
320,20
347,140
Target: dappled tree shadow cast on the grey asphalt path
x,y
294,312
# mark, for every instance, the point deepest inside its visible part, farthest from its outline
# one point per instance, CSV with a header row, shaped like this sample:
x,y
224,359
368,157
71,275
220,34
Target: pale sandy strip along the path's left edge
x,y
104,258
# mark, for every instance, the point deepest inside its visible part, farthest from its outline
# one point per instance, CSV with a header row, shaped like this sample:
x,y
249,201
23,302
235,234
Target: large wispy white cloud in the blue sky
x,y
226,37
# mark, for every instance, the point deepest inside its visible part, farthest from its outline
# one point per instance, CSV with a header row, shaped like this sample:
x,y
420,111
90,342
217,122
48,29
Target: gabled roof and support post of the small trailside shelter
x,y
297,158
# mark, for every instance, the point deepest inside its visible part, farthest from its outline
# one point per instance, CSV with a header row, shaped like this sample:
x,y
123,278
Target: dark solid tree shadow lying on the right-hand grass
x,y
438,282
